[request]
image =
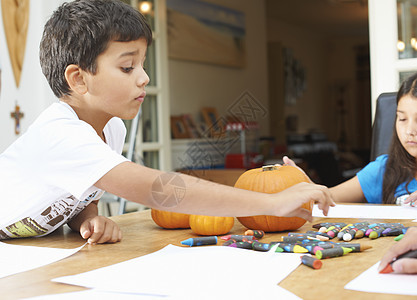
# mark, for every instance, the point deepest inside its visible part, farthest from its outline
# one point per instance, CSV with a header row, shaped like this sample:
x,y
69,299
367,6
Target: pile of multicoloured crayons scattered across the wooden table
x,y
317,243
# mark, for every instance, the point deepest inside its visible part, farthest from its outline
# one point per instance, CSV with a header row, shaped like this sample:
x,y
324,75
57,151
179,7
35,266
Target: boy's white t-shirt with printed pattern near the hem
x,y
47,176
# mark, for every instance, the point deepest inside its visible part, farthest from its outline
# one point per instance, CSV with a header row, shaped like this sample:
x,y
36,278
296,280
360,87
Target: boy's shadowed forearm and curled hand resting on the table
x,y
97,229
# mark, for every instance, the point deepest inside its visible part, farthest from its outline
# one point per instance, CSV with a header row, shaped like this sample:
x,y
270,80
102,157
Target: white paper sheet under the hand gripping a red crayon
x,y
373,282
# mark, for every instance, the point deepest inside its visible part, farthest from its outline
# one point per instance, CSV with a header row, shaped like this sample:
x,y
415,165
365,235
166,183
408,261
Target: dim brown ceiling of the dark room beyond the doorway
x,y
330,17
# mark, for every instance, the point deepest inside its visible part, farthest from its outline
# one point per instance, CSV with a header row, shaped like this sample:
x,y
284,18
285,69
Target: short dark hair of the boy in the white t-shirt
x,y
79,31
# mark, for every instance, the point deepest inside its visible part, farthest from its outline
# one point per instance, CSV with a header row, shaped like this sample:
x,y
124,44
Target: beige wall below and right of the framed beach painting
x,y
196,85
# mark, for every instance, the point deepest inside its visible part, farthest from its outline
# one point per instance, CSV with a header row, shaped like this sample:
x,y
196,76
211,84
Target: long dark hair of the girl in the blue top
x,y
401,166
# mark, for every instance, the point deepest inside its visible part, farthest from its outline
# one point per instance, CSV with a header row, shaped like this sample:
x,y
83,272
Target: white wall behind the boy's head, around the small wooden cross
x,y
33,94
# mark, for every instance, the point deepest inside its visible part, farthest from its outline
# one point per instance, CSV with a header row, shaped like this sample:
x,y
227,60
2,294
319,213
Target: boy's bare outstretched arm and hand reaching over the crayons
x,y
187,194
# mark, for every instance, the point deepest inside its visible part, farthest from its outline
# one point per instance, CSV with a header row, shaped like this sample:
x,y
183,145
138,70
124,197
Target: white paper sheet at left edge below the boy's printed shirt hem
x,y
15,259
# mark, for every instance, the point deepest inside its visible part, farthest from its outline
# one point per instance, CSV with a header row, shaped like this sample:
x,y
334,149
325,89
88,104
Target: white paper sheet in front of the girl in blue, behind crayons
x,y
368,212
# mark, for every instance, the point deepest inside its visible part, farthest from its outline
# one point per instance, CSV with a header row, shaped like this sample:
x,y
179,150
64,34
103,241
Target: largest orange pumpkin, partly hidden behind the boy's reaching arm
x,y
272,179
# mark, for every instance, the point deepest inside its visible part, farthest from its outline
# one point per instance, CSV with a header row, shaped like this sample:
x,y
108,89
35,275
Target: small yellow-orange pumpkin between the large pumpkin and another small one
x,y
208,225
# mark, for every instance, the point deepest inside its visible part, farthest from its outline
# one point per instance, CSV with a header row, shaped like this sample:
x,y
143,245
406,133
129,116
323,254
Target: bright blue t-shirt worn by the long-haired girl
x,y
371,178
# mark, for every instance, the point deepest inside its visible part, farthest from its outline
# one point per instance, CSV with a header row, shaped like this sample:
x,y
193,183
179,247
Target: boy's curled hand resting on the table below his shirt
x,y
99,230
